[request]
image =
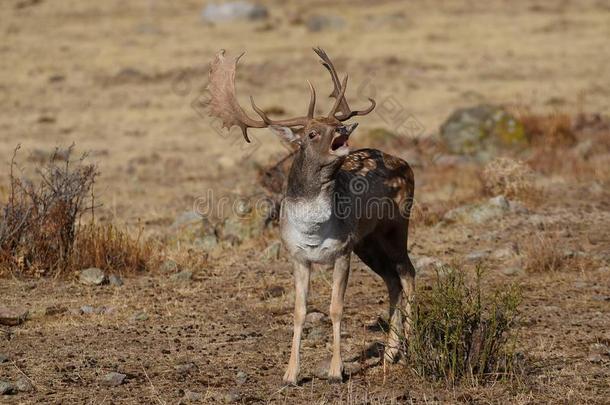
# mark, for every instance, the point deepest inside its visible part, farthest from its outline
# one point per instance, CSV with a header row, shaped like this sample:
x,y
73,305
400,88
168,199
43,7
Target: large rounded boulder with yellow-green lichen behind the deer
x,y
482,131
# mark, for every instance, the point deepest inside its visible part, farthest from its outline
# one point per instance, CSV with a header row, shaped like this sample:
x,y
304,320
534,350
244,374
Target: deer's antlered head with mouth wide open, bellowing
x,y
323,137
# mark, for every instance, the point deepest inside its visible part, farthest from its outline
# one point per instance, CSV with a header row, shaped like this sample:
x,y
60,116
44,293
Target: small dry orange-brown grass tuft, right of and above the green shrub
x,y
542,254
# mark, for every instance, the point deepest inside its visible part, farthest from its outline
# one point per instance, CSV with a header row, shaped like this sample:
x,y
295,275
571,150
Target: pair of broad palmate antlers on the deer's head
x,y
223,102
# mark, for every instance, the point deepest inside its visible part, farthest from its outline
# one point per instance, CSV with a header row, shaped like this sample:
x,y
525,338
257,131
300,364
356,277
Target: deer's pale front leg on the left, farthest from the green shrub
x,y
301,285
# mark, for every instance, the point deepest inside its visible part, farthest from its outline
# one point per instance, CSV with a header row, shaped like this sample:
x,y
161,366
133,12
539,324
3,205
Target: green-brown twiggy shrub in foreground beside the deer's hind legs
x,y
459,334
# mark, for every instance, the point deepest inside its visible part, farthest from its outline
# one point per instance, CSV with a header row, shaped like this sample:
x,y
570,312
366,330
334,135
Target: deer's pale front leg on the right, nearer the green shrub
x,y
340,278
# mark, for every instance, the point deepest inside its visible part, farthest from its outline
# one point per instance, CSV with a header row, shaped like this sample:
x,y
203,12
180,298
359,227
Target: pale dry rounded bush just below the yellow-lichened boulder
x,y
511,178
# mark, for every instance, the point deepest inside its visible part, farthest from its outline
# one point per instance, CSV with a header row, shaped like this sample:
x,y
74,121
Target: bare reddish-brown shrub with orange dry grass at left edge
x,y
40,228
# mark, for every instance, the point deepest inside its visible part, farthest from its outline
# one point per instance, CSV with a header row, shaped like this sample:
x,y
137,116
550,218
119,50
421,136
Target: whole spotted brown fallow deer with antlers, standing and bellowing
x,y
336,202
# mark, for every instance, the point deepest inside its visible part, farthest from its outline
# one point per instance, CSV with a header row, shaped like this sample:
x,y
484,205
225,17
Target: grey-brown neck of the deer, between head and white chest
x,y
309,180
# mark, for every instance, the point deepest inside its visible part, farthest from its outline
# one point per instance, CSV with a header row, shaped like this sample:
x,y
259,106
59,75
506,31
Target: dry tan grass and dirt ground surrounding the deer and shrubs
x,y
124,81
